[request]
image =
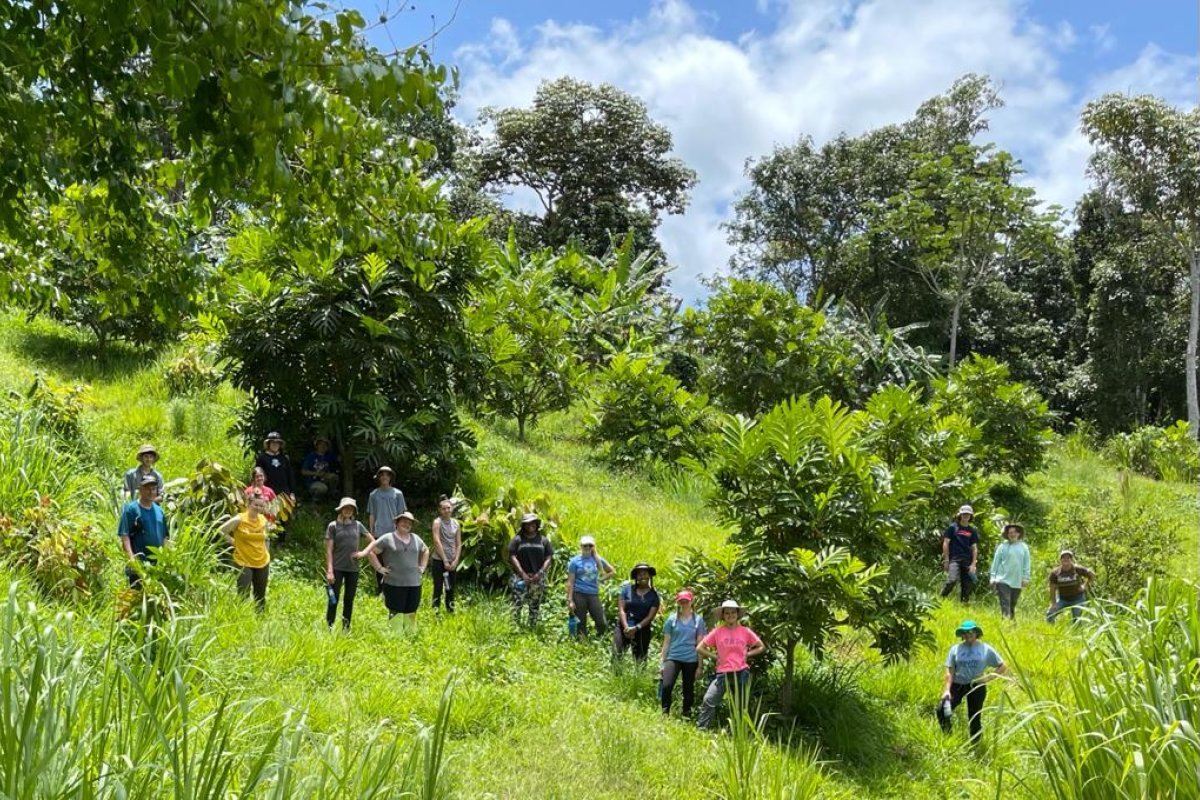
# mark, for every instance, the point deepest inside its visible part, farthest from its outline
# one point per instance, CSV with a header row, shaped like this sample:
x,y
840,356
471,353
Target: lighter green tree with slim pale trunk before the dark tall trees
x,y
963,215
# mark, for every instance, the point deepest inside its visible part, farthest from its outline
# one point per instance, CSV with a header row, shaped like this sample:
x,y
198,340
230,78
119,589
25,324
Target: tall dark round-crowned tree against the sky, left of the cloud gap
x,y
599,166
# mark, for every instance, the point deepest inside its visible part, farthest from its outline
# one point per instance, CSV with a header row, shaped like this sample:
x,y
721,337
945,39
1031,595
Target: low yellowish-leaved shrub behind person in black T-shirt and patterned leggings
x,y
489,528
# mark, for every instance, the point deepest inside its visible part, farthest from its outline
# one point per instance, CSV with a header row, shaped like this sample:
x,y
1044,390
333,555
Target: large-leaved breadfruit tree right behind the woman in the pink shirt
x,y
818,524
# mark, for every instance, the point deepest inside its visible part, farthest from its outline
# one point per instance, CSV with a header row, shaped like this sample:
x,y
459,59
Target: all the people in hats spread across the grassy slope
x,y
400,560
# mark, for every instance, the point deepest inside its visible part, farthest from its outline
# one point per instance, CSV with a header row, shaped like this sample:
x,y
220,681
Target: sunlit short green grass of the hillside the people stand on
x,y
536,715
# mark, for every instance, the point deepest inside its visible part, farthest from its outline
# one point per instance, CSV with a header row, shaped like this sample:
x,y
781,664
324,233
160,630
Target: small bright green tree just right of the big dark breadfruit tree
x,y
521,323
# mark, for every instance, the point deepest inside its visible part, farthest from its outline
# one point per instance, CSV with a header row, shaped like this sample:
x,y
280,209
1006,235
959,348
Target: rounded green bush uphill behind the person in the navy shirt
x,y
1013,420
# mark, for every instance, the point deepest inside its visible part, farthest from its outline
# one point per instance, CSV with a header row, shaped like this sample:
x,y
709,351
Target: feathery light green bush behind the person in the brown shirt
x,y
1125,539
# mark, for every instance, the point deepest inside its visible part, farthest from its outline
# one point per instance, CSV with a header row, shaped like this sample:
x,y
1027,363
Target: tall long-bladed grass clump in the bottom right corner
x,y
1125,724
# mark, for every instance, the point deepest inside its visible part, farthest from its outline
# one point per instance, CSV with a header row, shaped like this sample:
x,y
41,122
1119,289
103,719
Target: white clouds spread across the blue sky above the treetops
x,y
825,68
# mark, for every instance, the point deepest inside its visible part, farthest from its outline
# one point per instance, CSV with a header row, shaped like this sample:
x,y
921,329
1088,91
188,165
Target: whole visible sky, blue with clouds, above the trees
x,y
733,80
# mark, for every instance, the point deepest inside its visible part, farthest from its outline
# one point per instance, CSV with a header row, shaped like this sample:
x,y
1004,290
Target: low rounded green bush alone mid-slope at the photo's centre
x,y
641,416
